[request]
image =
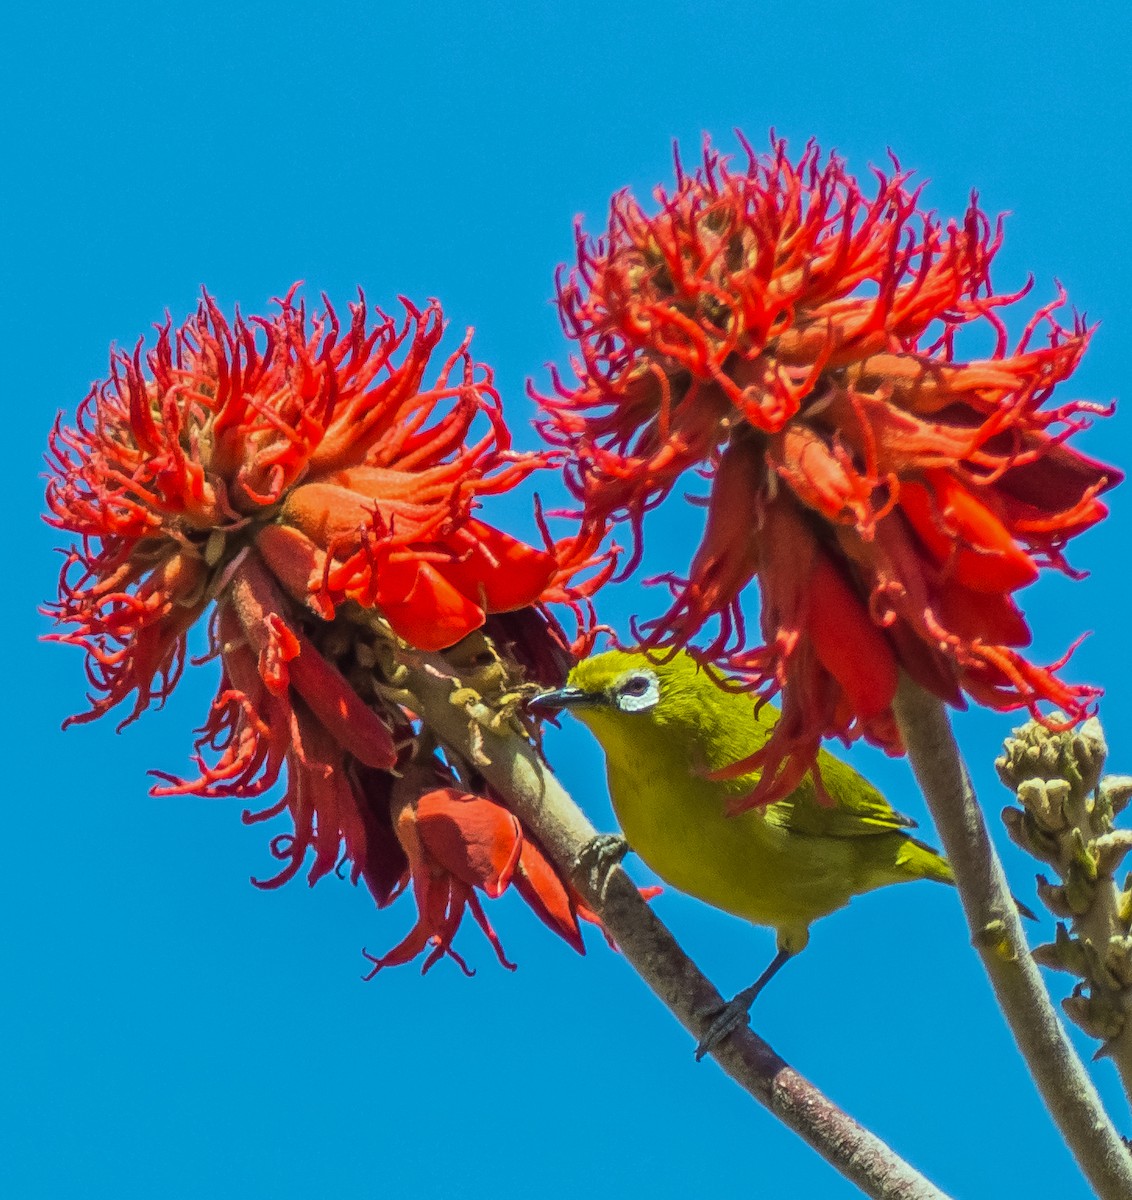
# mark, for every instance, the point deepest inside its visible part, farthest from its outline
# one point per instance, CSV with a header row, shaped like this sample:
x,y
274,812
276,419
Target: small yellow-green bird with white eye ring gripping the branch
x,y
666,727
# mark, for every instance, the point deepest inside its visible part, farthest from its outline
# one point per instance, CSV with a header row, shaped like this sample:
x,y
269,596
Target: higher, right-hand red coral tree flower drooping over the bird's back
x,y
799,343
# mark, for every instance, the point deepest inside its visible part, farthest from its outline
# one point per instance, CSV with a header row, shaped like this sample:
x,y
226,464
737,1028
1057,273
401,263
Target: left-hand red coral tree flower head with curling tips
x,y
291,478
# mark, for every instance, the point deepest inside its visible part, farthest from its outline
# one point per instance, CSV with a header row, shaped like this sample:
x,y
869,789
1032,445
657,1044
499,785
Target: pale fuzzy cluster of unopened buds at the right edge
x,y
1068,820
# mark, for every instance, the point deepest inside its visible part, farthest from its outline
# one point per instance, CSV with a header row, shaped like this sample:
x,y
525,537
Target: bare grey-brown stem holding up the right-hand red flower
x,y
997,933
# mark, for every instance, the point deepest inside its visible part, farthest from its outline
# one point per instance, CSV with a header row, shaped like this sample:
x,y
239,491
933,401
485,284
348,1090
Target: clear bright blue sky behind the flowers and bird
x,y
172,1031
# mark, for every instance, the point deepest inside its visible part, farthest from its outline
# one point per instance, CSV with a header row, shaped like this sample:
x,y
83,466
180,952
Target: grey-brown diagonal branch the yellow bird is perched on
x,y
516,771
